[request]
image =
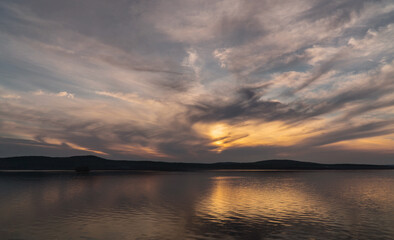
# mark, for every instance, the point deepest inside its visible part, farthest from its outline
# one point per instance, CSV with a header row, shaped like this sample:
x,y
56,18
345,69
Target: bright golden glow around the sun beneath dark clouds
x,y
254,133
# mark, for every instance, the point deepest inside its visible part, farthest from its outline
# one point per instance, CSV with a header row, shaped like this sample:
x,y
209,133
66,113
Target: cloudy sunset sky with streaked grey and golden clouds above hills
x,y
198,81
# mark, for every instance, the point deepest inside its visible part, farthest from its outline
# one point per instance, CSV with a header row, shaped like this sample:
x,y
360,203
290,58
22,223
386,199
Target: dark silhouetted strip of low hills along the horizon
x,y
87,163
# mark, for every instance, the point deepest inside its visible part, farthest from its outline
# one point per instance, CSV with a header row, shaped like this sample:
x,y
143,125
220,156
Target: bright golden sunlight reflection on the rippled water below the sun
x,y
273,201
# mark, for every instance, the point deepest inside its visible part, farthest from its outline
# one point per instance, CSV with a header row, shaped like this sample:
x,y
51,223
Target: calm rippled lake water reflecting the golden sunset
x,y
198,205
